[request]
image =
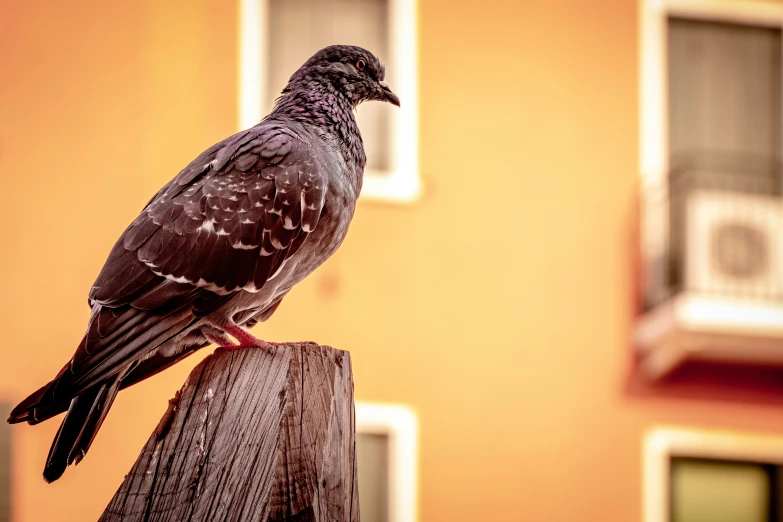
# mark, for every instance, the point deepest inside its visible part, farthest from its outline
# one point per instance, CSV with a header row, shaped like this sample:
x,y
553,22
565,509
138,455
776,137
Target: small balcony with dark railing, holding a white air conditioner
x,y
713,255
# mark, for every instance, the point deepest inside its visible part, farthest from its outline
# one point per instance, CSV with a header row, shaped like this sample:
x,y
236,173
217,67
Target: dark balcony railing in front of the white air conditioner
x,y
716,228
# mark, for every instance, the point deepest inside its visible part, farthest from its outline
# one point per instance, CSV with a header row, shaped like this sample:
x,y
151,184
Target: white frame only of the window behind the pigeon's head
x,y
402,183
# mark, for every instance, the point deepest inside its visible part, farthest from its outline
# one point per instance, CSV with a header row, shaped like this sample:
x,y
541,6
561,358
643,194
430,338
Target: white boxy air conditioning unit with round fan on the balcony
x,y
733,245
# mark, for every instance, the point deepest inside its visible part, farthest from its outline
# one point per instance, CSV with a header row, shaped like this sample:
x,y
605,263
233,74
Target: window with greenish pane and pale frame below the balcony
x,y
695,476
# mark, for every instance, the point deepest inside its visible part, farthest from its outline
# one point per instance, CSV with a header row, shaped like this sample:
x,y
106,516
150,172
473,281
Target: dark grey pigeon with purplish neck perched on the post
x,y
217,249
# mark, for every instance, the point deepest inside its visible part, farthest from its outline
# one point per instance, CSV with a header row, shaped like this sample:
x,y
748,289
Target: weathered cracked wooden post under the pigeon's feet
x,y
251,436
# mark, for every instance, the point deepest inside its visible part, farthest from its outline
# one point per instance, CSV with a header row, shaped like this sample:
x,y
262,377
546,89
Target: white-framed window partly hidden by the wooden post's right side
x,y
386,462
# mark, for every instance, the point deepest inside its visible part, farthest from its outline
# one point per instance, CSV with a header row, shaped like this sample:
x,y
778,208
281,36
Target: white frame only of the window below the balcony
x,y
662,443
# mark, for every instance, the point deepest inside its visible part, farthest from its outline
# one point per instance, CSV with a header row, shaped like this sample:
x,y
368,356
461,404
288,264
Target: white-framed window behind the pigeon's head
x,y
277,36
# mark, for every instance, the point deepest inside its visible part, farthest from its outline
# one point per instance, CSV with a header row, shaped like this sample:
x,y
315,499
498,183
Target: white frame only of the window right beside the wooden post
x,y
400,425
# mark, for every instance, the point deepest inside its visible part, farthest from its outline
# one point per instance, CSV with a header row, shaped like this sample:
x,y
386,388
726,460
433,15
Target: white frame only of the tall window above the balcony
x,y
653,66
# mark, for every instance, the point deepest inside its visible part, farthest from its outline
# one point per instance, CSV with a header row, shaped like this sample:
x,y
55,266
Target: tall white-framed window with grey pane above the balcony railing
x,y
710,89
